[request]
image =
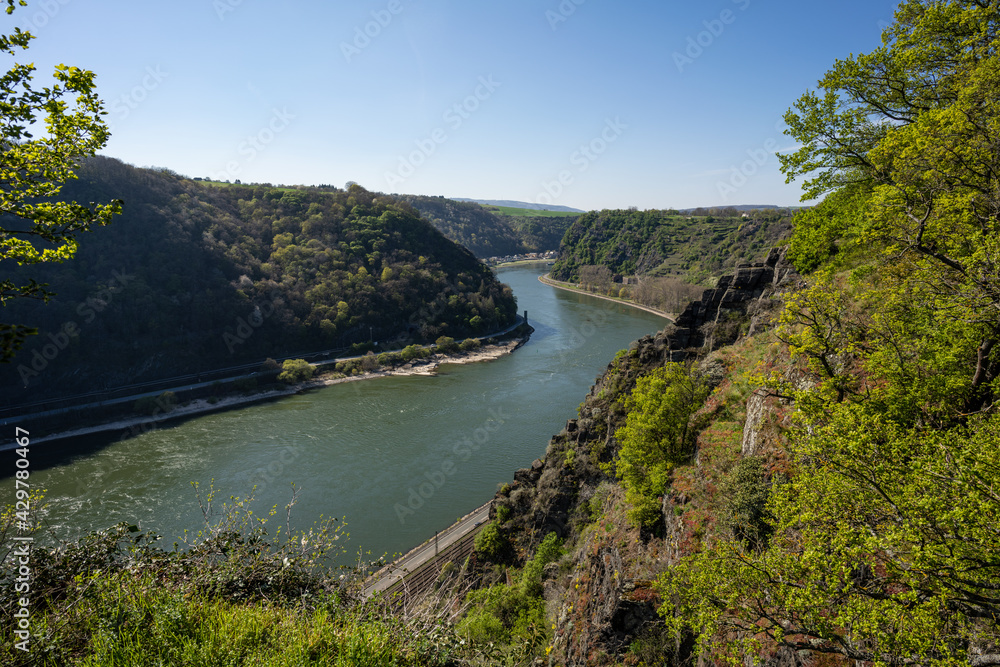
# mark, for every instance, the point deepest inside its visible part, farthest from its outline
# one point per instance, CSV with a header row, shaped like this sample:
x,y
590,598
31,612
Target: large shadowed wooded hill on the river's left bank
x,y
194,277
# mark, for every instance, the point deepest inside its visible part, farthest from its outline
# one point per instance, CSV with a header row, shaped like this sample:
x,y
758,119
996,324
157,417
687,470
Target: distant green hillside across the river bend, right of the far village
x,y
667,243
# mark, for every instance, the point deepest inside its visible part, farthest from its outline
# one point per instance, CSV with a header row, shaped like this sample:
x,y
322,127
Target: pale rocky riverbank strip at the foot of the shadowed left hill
x,y
138,424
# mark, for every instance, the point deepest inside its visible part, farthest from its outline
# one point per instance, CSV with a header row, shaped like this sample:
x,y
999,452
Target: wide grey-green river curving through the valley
x,y
399,457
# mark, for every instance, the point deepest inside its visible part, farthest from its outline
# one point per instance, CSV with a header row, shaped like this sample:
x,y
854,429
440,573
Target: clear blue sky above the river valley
x,y
481,99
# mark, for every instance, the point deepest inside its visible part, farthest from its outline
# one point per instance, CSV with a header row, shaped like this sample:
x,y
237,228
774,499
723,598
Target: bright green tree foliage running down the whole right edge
x,y
884,543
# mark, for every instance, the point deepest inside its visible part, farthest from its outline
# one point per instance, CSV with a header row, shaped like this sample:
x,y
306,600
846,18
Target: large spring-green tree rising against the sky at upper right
x,y
913,127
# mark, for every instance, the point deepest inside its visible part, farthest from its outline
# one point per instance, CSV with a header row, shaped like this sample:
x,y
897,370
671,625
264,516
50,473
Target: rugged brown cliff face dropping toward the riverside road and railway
x,y
606,604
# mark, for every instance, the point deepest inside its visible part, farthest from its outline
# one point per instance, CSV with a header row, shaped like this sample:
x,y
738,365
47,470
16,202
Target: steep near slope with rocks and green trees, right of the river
x,y
804,470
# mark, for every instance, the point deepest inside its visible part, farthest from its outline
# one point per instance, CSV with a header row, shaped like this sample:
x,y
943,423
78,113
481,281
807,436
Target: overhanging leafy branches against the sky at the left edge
x,y
33,170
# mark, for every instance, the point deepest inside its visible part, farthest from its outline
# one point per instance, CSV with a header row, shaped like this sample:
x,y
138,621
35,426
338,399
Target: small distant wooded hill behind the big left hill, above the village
x,y
489,233
